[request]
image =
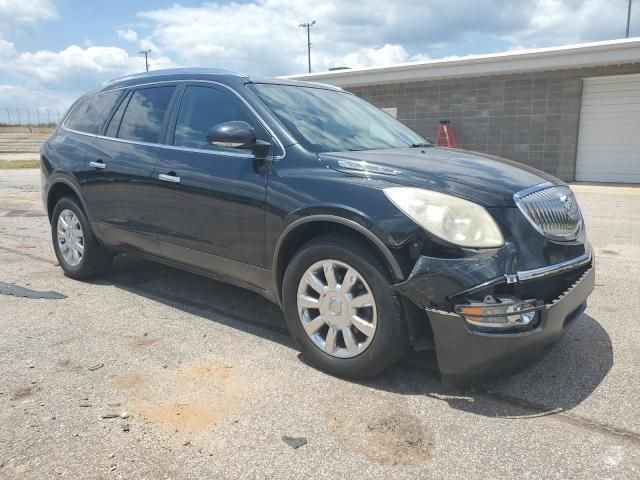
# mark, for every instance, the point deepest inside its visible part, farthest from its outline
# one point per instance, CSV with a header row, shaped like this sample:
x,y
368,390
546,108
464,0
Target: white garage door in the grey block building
x,y
609,138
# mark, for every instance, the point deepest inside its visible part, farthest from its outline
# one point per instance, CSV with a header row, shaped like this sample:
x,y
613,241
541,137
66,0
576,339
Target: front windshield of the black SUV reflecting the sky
x,y
332,121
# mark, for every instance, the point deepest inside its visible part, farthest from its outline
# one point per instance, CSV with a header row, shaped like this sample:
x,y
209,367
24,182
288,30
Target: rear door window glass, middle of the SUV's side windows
x,y
142,120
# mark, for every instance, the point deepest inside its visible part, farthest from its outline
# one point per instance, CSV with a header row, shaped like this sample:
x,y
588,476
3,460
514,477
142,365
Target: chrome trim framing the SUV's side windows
x,y
174,147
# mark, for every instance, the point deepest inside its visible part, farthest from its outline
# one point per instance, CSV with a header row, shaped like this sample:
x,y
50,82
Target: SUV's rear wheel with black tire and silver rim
x,y
79,253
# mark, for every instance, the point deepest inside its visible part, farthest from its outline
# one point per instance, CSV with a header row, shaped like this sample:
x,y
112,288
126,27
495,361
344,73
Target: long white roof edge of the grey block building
x,y
612,52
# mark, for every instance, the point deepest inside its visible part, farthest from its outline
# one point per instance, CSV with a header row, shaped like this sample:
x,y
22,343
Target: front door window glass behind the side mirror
x,y
202,108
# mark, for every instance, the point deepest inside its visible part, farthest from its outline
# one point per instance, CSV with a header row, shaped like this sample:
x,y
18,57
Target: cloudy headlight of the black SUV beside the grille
x,y
450,218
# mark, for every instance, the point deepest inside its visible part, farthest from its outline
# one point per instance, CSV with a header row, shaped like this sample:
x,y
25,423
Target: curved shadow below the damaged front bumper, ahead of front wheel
x,y
567,375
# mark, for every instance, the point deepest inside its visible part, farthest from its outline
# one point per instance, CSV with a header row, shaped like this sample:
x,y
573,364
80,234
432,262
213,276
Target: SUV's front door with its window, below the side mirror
x,y
211,200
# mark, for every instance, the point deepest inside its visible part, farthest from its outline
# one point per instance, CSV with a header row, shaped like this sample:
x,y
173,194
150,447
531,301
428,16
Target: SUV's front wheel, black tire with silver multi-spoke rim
x,y
341,310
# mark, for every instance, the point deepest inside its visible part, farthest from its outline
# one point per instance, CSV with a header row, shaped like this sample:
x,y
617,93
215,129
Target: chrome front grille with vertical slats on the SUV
x,y
552,210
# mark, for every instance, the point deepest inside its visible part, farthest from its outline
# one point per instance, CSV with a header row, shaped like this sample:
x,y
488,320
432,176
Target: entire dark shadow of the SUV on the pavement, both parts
x,y
569,372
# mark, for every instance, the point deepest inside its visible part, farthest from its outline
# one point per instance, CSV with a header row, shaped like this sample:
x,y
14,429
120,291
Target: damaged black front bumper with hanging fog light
x,y
462,299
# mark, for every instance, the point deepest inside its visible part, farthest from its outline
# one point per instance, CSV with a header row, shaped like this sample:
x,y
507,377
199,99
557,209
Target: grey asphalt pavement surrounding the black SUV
x,y
151,372
